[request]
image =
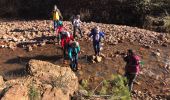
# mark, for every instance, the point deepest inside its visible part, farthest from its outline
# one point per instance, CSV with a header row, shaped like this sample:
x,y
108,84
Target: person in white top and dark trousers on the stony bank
x,y
76,26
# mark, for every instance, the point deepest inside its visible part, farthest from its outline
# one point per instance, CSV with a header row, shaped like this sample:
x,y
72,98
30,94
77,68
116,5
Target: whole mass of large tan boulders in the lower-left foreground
x,y
47,82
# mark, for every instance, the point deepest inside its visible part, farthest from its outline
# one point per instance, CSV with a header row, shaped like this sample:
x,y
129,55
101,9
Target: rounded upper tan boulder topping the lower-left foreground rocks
x,y
46,71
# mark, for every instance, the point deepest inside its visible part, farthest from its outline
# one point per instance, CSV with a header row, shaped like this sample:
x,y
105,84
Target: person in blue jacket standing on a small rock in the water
x,y
96,34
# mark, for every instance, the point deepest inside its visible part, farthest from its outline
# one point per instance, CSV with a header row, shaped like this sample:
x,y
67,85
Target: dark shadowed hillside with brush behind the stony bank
x,y
150,14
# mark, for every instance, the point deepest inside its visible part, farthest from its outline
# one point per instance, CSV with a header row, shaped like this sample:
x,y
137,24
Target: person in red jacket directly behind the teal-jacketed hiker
x,y
66,37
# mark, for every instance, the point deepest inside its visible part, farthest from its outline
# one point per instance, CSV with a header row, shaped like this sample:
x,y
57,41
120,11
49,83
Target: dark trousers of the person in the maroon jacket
x,y
130,78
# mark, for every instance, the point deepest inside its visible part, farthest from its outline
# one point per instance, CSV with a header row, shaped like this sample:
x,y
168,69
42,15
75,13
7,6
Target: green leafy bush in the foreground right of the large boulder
x,y
114,88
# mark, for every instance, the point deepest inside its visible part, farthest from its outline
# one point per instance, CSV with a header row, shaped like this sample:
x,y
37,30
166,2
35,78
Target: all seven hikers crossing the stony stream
x,y
72,47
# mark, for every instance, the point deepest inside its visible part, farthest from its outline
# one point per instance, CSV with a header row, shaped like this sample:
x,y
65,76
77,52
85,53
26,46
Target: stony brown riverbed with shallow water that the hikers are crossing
x,y
22,41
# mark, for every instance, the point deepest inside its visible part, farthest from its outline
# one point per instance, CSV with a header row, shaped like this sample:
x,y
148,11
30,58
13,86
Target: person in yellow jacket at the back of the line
x,y
56,16
